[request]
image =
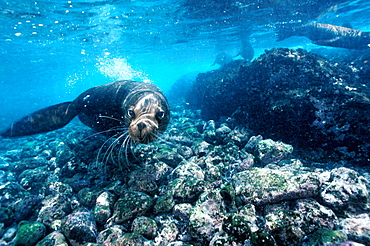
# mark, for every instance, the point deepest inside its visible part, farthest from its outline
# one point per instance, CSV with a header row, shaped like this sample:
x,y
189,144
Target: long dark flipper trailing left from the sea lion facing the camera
x,y
44,120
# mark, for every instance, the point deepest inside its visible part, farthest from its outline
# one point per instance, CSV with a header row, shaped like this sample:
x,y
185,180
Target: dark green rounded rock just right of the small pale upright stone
x,y
131,204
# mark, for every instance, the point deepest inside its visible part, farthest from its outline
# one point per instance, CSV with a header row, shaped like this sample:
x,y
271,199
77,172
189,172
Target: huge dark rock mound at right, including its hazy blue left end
x,y
294,96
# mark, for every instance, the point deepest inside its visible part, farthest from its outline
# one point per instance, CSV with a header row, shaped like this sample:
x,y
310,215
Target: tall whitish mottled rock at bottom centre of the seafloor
x,y
207,215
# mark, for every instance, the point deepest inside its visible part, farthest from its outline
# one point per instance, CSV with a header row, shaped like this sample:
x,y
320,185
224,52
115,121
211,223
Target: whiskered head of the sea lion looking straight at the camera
x,y
147,116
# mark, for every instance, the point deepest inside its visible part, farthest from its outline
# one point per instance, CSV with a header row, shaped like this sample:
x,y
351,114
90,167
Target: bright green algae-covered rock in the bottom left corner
x,y
29,233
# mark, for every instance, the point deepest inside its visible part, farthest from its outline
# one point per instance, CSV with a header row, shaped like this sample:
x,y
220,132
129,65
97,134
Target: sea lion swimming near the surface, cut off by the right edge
x,y
328,35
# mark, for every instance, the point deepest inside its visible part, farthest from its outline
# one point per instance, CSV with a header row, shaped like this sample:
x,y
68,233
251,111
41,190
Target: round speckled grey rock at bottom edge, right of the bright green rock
x,y
80,226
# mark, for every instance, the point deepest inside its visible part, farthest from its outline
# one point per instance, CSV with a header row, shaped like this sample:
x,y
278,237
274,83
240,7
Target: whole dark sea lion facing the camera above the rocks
x,y
114,109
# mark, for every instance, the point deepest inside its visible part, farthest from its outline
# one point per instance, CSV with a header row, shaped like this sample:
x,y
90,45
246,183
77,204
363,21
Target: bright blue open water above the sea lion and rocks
x,y
51,51
